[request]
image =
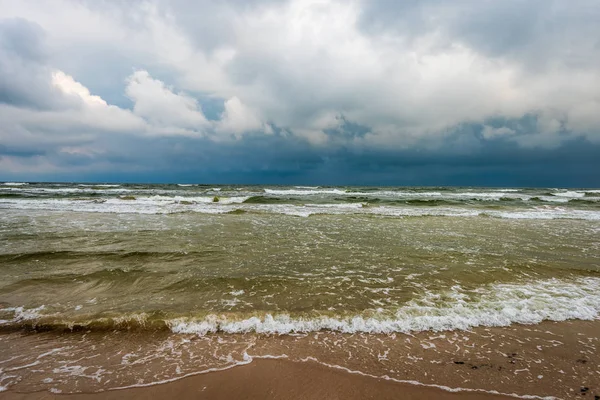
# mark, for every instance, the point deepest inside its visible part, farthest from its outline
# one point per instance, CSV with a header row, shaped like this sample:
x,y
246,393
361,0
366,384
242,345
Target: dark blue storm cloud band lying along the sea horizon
x,y
494,163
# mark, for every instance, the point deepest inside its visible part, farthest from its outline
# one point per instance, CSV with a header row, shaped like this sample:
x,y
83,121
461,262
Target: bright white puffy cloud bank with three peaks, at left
x,y
84,118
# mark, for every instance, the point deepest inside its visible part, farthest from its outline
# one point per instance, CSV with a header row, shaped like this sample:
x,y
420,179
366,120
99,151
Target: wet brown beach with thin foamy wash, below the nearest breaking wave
x,y
550,360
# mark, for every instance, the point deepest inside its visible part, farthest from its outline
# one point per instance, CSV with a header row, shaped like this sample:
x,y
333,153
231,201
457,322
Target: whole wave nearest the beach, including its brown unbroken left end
x,y
456,308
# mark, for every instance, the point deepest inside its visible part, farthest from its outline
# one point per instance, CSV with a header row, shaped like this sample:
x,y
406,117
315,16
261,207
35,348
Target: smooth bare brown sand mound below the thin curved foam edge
x,y
271,379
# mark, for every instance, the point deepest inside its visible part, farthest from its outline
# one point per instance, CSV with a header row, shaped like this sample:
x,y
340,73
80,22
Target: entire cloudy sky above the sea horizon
x,y
372,92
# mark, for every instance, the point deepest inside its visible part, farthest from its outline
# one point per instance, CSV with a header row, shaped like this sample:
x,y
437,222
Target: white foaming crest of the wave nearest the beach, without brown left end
x,y
492,305
